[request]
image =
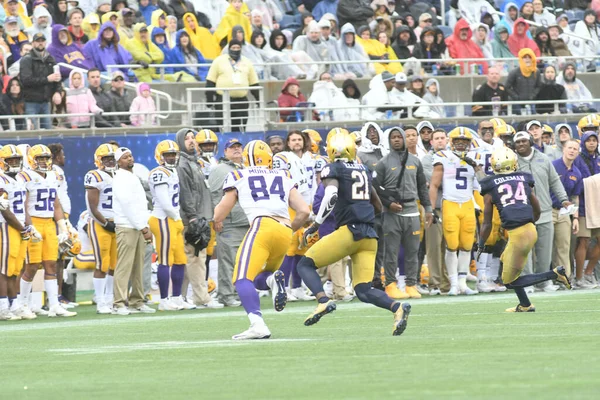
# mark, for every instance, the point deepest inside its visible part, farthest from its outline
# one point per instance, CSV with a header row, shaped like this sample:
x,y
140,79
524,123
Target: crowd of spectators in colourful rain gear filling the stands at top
x,y
303,39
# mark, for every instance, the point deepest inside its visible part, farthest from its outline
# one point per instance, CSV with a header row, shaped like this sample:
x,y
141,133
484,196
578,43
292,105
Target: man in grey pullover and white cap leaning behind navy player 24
x,y
546,179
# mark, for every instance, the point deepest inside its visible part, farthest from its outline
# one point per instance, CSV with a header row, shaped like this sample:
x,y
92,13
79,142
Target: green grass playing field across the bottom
x,y
454,348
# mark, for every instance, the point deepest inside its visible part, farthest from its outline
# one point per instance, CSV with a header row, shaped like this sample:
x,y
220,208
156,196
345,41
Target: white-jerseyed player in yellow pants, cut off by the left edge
x,y
14,233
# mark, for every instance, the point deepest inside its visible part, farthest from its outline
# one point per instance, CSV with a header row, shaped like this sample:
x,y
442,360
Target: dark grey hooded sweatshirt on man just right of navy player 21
x,y
413,185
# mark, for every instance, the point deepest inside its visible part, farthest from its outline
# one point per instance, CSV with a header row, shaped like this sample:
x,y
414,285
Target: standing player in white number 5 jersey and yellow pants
x,y
455,167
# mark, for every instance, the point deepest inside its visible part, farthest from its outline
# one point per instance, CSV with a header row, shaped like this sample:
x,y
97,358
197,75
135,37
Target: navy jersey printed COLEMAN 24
x,y
510,194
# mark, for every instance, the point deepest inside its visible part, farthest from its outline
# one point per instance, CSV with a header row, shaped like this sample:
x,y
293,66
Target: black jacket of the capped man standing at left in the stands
x,y
34,71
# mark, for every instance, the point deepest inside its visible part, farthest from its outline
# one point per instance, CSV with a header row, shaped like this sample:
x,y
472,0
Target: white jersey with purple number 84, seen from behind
x,y
261,191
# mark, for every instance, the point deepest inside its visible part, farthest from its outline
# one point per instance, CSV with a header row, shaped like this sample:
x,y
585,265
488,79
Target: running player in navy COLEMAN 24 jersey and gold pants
x,y
511,192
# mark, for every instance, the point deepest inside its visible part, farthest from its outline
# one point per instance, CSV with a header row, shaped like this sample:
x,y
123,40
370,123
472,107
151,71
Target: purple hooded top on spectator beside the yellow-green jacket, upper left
x,y
106,54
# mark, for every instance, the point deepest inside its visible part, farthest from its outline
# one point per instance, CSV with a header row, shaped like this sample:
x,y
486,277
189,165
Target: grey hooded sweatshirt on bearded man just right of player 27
x,y
194,194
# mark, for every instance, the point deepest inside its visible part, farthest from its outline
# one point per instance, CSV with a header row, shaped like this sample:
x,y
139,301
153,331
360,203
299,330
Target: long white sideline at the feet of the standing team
x,y
506,299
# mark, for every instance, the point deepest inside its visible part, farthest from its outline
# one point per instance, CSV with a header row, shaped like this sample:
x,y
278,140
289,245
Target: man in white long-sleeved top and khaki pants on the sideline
x,y
131,220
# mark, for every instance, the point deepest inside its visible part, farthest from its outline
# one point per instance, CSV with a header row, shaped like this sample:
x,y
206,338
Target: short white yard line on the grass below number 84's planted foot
x,y
125,348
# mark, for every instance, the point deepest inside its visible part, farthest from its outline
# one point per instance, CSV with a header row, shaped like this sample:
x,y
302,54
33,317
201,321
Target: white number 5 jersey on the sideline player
x,y
459,178
